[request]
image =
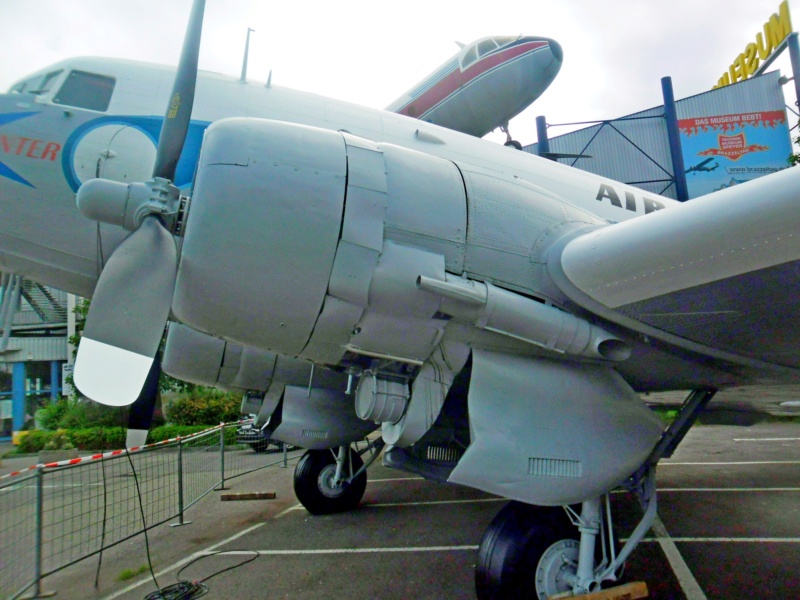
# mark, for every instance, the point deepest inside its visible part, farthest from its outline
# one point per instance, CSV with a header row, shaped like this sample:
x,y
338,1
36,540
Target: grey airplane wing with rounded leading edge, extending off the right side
x,y
719,274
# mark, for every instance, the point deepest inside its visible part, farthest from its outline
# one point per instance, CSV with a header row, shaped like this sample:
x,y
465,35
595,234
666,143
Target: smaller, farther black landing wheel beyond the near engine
x,y
309,478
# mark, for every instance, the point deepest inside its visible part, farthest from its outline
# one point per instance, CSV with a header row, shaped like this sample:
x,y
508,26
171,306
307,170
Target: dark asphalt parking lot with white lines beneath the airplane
x,y
729,528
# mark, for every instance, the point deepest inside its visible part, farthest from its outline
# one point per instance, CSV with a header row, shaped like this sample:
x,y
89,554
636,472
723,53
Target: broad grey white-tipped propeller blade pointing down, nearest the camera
x,y
127,316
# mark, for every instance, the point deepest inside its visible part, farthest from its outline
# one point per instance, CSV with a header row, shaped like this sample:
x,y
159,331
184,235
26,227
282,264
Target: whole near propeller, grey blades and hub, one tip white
x,y
132,299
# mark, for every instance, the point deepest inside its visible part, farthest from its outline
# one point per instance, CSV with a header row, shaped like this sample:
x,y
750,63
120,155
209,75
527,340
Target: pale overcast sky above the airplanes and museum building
x,y
370,52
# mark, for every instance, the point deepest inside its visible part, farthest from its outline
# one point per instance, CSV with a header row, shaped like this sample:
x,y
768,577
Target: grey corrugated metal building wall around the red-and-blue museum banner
x,y
634,149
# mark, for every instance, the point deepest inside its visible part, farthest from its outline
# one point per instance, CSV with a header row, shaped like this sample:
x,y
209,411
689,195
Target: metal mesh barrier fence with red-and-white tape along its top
x,y
53,515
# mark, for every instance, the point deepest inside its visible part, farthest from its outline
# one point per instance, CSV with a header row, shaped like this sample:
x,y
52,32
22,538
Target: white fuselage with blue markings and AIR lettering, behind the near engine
x,y
106,123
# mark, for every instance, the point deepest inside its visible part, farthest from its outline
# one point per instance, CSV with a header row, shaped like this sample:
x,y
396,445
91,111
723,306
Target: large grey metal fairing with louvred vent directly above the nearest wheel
x,y
520,450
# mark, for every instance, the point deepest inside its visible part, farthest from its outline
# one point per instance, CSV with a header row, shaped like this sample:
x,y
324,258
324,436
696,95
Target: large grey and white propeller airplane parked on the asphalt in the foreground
x,y
494,313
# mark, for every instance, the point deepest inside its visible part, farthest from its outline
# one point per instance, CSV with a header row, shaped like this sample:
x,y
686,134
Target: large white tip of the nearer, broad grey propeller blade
x,y
108,374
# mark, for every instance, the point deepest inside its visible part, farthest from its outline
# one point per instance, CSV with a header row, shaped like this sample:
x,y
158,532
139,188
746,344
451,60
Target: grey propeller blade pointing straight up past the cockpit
x,y
179,111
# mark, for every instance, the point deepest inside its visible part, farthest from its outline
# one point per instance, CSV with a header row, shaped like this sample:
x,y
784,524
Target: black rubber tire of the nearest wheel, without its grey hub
x,y
512,546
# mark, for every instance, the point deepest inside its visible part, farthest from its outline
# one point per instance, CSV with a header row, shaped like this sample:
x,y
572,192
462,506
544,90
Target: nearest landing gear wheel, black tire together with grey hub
x,y
527,548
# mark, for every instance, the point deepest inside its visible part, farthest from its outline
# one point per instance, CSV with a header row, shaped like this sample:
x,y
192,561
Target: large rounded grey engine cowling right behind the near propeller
x,y
285,249
